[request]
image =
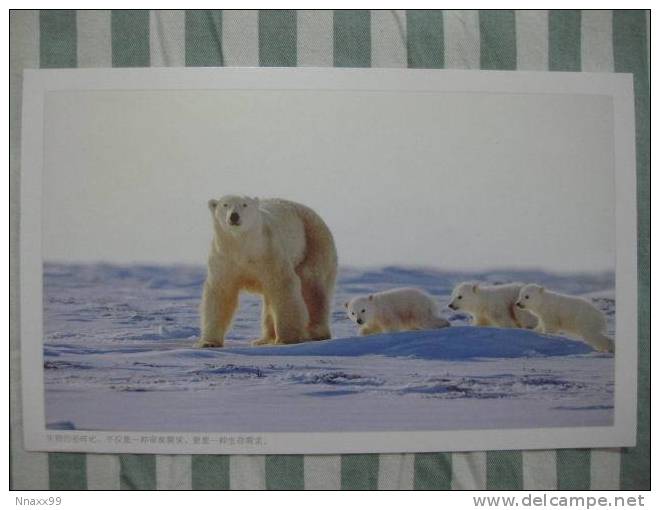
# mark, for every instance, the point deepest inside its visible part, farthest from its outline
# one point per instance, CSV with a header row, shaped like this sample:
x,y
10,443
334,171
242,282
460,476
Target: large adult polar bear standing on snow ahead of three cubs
x,y
280,249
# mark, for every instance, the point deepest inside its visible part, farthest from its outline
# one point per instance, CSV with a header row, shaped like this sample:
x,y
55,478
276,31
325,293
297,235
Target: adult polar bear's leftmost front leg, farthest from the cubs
x,y
219,302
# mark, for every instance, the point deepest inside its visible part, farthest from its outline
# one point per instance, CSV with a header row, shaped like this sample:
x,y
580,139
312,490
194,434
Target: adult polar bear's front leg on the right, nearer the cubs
x,y
289,310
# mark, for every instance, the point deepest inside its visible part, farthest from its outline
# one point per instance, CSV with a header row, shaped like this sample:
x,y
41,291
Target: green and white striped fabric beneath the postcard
x,y
601,41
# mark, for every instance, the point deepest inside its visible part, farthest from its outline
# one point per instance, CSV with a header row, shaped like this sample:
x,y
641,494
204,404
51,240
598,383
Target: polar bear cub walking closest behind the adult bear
x,y
395,310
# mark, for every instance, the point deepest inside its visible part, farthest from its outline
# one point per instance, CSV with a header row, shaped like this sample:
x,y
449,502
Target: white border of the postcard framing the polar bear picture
x,y
37,83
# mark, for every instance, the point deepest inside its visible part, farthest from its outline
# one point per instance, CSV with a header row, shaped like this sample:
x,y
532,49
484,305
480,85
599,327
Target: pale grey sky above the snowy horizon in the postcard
x,y
447,180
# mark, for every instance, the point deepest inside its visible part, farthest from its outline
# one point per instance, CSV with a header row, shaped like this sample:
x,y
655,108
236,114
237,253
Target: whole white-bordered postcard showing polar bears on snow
x,y
327,260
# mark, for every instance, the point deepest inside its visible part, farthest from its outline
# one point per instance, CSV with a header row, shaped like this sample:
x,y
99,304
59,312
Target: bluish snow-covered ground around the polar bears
x,y
118,355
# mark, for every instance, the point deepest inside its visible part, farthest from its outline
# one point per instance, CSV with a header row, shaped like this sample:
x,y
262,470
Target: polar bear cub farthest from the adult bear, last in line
x,y
570,314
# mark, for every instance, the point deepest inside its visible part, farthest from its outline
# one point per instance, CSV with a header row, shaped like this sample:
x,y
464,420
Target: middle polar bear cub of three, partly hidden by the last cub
x,y
492,305
